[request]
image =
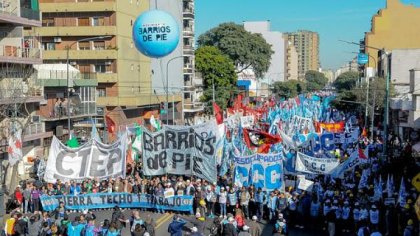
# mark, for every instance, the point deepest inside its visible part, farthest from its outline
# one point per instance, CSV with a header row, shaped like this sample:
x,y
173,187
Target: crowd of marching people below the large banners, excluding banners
x,y
334,205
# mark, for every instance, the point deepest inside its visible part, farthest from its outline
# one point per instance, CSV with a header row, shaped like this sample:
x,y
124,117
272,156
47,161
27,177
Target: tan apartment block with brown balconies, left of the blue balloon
x,y
97,35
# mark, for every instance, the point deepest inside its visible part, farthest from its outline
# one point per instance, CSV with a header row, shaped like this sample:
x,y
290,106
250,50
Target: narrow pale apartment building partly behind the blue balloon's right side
x,y
177,70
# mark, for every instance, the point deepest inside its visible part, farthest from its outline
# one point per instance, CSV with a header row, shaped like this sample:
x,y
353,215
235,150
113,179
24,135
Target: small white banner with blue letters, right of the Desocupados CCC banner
x,y
312,165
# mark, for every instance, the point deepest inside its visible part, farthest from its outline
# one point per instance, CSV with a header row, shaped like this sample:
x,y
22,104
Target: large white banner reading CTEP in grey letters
x,y
92,160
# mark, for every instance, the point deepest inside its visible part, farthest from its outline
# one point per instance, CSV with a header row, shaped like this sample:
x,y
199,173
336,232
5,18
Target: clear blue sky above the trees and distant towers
x,y
334,20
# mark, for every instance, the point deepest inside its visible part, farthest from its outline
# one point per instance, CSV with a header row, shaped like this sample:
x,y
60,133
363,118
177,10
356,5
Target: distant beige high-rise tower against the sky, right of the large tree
x,y
307,47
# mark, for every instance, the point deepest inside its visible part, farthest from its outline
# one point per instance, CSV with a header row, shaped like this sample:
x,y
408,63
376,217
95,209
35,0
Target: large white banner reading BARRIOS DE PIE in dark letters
x,y
181,150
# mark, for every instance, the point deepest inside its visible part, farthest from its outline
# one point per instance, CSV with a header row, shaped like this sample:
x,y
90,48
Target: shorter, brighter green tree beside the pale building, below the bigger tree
x,y
215,67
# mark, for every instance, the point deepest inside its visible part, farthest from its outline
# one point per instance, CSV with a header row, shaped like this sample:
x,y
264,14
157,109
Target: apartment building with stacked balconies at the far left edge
x,y
20,97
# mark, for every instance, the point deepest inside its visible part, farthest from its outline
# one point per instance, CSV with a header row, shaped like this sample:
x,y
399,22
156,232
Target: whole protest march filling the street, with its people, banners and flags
x,y
293,164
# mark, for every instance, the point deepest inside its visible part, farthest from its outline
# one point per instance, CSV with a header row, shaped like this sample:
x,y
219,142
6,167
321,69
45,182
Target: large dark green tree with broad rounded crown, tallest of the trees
x,y
247,50
